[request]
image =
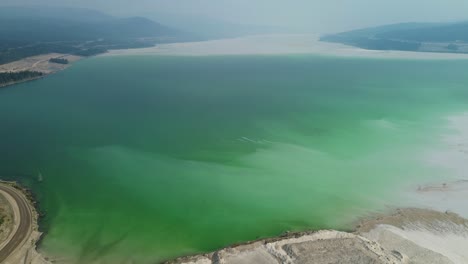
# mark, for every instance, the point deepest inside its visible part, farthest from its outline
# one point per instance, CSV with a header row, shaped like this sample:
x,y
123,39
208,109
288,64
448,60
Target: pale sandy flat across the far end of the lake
x,y
275,45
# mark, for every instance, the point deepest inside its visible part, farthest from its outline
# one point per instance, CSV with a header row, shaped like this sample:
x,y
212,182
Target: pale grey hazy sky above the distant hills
x,y
317,15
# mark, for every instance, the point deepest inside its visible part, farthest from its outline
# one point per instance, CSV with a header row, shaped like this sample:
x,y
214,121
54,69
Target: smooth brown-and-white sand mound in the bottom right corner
x,y
423,236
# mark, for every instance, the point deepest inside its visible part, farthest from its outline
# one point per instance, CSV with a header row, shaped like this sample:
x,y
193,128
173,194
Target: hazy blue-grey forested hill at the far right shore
x,y
427,37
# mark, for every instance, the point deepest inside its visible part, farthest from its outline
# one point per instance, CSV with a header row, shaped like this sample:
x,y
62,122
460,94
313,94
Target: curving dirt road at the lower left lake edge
x,y
25,222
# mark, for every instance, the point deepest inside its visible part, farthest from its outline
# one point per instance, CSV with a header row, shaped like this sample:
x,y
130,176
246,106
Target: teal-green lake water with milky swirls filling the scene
x,y
148,158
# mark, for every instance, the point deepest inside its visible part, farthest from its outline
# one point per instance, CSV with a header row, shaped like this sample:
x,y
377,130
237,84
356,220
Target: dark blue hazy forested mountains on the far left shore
x,y
32,31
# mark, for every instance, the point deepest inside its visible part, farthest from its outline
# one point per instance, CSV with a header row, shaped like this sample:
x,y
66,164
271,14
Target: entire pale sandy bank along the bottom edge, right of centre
x,y
406,236
